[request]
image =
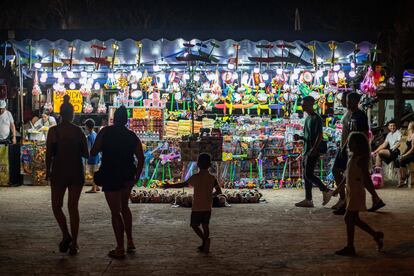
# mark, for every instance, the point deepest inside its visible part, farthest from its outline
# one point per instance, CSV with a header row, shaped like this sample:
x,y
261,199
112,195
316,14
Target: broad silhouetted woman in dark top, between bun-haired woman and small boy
x,y
119,173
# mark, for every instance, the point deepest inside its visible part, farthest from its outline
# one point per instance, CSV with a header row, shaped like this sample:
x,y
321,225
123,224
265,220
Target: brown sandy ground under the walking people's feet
x,y
272,238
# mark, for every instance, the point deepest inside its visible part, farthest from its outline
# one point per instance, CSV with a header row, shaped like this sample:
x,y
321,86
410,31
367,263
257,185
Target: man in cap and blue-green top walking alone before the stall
x,y
312,137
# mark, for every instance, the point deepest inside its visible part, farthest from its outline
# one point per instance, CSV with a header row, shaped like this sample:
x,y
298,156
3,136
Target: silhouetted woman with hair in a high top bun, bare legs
x,y
65,146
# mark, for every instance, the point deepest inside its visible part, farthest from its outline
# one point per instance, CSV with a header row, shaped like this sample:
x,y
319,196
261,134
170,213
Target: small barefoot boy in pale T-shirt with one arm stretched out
x,y
203,183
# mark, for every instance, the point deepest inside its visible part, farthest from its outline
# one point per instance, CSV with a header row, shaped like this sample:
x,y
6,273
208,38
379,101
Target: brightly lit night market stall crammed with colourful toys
x,y
238,100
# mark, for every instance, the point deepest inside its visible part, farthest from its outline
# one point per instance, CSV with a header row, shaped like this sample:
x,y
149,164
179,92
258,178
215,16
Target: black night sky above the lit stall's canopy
x,y
242,14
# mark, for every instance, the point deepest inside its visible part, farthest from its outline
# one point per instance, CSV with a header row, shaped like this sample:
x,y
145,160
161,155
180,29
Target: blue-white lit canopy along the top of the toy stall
x,y
166,53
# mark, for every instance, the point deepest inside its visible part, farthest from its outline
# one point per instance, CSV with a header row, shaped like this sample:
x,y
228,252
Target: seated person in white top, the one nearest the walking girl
x,y
389,150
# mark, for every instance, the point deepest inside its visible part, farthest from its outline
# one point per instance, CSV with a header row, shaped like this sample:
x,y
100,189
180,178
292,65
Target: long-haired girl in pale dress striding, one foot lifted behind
x,y
357,173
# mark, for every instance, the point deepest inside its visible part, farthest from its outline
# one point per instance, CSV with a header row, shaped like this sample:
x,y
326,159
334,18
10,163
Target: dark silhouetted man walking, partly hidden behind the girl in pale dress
x,y
354,120
